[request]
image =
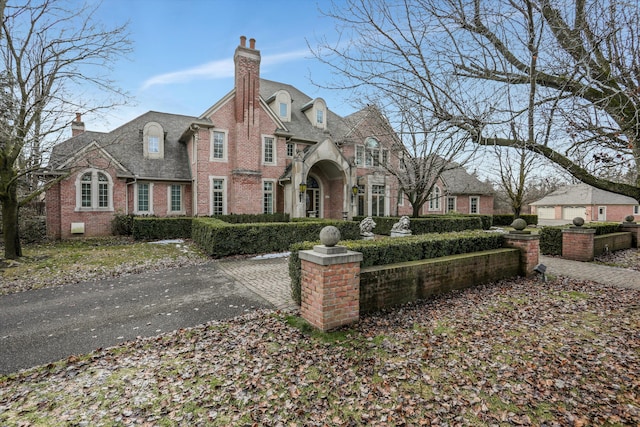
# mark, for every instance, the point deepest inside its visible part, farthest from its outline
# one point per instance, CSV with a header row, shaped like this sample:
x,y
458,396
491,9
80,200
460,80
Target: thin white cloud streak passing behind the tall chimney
x,y
216,70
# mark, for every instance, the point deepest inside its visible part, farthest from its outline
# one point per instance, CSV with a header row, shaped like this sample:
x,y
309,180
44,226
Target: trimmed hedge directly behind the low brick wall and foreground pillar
x,y
394,250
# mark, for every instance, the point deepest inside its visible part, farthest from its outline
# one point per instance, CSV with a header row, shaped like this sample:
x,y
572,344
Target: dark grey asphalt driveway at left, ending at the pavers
x,y
45,325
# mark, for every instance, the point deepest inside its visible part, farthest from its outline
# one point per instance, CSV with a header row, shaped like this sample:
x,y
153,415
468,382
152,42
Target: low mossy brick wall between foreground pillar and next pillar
x,y
394,284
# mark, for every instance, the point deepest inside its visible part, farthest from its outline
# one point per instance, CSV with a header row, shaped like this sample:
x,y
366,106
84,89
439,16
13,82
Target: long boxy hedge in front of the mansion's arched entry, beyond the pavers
x,y
219,239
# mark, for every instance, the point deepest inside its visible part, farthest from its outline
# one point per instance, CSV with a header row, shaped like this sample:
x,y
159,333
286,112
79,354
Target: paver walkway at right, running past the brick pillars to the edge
x,y
622,277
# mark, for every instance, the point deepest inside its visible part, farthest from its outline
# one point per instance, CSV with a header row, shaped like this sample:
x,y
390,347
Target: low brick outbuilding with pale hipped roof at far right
x,y
585,201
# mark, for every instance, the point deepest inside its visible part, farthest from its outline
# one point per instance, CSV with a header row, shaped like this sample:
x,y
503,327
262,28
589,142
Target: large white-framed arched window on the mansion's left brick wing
x,y
94,191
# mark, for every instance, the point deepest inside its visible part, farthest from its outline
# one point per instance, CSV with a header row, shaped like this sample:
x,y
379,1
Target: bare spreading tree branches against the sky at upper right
x,y
567,72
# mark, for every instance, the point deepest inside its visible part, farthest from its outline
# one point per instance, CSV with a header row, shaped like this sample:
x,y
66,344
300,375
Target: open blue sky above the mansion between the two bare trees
x,y
182,59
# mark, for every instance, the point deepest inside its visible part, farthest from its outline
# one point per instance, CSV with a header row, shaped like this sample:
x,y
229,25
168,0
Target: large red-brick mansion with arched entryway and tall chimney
x,y
264,147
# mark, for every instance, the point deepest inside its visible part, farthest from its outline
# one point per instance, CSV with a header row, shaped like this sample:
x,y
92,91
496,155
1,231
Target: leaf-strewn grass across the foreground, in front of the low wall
x,y
513,353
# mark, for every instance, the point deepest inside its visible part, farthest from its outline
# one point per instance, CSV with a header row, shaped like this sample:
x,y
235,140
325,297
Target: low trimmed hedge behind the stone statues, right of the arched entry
x,y
432,223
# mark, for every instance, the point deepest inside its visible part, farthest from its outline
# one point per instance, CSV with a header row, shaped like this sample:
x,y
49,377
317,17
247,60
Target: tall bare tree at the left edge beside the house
x,y
55,55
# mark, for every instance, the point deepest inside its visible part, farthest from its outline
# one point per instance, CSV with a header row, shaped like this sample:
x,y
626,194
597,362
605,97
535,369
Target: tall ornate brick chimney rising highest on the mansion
x,y
247,81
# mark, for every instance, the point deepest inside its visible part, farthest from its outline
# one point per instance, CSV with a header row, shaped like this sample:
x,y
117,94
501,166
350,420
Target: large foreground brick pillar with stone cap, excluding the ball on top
x,y
330,286
